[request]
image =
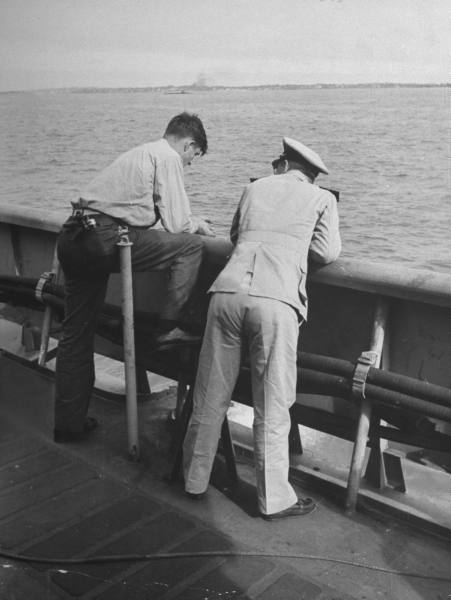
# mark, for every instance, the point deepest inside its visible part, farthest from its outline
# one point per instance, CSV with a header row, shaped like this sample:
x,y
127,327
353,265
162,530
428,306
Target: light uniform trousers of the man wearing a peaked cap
x,y
269,328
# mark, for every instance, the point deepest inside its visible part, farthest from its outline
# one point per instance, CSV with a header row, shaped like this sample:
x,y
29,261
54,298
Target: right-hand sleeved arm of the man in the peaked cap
x,y
325,245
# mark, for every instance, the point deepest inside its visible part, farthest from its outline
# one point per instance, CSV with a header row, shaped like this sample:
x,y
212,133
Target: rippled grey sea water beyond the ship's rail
x,y
387,150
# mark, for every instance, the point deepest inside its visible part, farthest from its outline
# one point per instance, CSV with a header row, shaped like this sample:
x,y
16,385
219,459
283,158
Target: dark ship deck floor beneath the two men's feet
x,y
88,500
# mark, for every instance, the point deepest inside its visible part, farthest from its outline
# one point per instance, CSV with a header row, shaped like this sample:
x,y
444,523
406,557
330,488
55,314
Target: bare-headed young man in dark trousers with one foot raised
x,y
141,189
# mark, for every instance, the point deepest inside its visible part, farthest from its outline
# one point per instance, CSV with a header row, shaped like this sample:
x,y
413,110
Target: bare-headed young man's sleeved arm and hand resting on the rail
x,y
172,202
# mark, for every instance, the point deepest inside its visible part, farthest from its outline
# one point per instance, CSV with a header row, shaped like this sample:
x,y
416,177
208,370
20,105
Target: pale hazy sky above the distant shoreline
x,y
141,43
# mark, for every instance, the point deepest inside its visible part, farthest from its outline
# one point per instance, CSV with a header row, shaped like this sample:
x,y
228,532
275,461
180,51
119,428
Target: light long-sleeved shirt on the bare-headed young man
x,y
144,187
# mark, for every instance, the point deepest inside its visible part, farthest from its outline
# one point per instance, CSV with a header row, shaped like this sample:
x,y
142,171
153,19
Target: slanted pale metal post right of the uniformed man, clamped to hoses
x,y
358,454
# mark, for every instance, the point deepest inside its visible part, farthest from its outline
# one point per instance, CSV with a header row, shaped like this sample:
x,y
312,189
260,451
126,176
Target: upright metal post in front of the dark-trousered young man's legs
x,y
125,245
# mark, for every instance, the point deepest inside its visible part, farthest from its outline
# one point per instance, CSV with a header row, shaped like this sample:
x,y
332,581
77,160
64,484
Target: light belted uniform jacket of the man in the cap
x,y
281,221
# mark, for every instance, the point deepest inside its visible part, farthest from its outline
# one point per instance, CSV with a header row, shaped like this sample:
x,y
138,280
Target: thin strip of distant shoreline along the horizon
x,y
187,89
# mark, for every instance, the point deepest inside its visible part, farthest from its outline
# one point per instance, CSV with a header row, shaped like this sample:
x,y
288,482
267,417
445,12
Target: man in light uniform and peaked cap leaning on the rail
x,y
258,302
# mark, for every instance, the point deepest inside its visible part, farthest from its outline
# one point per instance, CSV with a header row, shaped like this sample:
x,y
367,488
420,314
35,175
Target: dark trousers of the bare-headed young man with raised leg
x,y
87,260
